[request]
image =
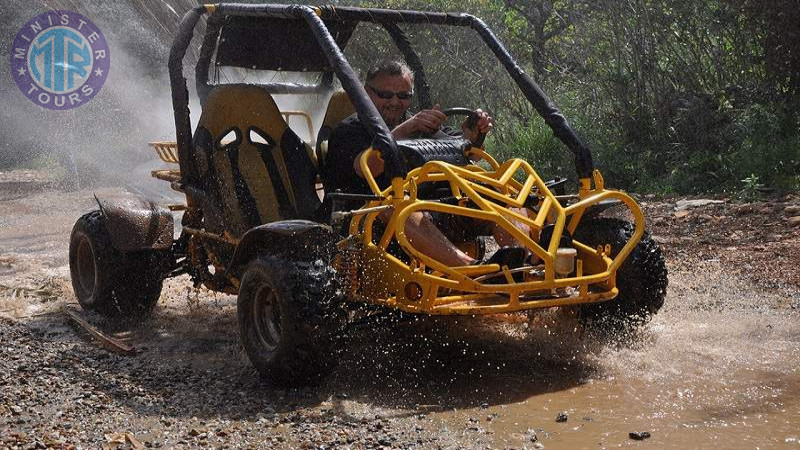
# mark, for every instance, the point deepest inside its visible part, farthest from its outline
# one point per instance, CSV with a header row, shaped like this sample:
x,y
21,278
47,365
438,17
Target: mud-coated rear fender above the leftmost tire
x,y
135,223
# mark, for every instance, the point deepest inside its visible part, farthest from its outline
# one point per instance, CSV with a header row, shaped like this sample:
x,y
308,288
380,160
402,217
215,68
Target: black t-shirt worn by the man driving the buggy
x,y
346,142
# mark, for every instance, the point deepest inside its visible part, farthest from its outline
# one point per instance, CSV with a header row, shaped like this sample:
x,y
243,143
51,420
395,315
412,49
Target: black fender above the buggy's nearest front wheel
x,y
295,236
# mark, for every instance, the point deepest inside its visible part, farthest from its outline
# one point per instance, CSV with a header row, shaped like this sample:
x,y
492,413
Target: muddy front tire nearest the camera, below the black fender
x,y
288,319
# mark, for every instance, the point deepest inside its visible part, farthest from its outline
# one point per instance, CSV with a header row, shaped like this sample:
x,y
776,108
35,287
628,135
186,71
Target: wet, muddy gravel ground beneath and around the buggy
x,y
717,367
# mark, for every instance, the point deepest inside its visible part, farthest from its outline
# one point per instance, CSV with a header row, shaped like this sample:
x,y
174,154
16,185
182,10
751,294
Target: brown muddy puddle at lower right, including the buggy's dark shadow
x,y
717,368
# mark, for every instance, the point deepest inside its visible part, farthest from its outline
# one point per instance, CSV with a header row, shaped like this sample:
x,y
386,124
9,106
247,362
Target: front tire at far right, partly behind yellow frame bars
x,y
642,278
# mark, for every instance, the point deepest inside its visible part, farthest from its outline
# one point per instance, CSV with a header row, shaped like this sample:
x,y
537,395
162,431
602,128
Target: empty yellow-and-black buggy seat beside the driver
x,y
250,164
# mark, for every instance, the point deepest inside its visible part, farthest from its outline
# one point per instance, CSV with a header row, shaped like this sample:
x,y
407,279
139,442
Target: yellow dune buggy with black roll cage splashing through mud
x,y
257,223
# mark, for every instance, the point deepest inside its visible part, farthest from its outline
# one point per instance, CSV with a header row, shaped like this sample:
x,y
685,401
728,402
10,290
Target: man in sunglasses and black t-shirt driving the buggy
x,y
390,87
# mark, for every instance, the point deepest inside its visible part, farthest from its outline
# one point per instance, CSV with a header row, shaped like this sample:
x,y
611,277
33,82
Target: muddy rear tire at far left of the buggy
x,y
122,286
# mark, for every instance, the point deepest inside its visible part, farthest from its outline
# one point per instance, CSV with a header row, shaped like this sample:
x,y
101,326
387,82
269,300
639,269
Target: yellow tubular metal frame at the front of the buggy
x,y
454,290
